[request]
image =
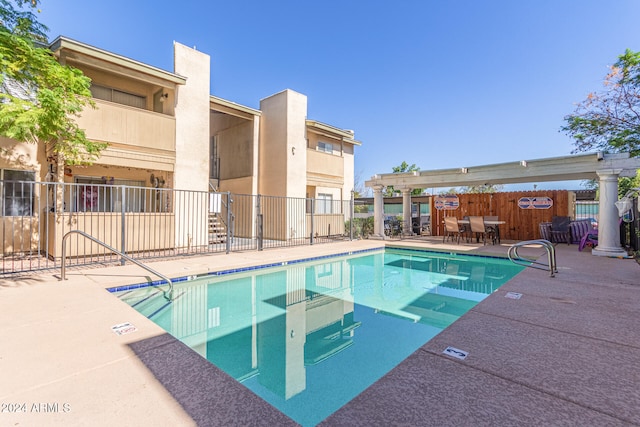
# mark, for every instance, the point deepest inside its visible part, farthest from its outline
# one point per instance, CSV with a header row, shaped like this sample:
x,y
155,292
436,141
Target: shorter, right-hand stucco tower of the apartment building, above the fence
x,y
283,162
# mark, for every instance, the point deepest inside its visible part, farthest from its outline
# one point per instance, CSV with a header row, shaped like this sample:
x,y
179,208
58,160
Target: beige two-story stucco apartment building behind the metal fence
x,y
166,131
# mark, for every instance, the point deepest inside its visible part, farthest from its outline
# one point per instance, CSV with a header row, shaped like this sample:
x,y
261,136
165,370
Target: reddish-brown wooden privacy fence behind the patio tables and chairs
x,y
521,224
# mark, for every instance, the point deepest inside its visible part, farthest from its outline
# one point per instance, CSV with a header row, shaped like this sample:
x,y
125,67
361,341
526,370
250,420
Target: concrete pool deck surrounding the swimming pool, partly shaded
x,y
566,353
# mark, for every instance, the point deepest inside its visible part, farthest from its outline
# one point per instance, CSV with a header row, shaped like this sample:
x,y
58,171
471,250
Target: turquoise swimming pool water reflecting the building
x,y
309,337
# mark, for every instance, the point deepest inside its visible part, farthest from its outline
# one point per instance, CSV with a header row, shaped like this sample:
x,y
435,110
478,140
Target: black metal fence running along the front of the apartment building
x,y
147,223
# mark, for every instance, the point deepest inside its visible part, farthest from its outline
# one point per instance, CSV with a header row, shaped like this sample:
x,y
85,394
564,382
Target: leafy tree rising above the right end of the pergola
x,y
610,120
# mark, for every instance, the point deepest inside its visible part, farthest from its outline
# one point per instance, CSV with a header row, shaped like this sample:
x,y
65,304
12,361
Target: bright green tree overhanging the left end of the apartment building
x,y
39,97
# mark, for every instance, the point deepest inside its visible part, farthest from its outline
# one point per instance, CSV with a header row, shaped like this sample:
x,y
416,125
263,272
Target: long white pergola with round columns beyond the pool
x,y
606,168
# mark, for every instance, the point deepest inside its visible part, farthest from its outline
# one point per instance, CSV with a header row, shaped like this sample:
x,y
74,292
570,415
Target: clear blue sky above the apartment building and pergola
x,y
436,83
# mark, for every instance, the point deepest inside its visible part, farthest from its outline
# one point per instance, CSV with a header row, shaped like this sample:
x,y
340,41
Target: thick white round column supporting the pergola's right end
x,y
608,225
